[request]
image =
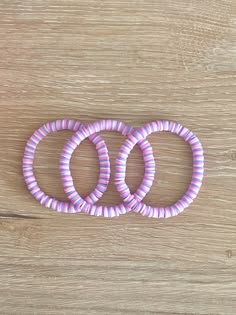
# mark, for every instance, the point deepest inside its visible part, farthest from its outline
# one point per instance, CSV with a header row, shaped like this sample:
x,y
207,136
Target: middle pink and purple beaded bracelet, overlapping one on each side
x,y
81,204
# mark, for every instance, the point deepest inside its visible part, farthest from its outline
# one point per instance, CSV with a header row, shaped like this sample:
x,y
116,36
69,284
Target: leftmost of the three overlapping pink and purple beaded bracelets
x,y
28,159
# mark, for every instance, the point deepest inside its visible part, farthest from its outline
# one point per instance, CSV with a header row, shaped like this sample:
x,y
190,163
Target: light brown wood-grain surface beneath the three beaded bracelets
x,y
136,61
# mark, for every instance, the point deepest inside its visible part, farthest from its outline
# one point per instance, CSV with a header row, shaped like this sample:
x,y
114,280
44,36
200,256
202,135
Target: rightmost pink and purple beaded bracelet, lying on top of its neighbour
x,y
197,176
